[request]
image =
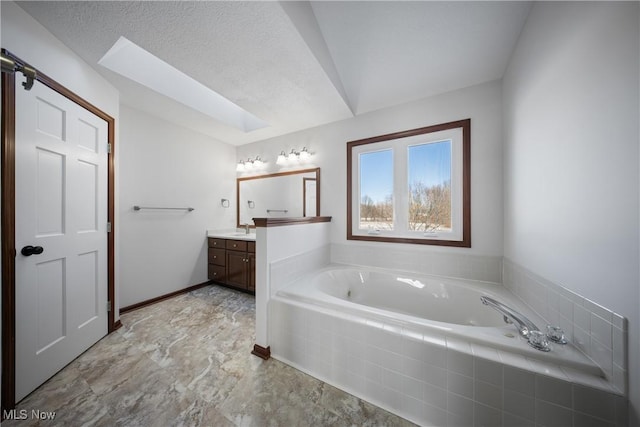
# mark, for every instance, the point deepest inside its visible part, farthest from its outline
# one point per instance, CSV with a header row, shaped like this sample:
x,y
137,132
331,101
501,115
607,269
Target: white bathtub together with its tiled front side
x,y
427,349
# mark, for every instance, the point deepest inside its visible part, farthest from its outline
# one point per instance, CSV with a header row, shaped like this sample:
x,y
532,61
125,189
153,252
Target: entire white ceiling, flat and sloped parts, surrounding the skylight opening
x,y
295,65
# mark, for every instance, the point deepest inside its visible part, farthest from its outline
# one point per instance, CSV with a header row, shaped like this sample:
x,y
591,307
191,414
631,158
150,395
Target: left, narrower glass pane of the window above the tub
x,y
376,190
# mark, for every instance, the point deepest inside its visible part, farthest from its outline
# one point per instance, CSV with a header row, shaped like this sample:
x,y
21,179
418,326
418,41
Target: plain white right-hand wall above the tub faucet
x,y
571,183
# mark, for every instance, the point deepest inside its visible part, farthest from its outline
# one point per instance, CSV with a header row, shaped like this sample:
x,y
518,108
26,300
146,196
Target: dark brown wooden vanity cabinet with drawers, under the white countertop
x,y
232,263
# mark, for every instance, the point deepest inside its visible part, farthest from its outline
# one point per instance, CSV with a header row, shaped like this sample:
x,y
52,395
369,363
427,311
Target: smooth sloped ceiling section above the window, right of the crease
x,y
389,53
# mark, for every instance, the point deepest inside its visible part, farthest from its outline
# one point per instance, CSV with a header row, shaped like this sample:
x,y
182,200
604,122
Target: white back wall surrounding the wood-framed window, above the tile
x,y
481,103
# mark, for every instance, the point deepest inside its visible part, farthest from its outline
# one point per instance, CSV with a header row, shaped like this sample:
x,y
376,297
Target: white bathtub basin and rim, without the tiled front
x,y
431,305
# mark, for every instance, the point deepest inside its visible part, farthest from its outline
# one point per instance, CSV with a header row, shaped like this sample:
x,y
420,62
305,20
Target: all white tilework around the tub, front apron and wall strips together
x,y
440,380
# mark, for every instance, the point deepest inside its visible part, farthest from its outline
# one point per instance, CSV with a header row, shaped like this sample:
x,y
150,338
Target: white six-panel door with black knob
x,y
61,207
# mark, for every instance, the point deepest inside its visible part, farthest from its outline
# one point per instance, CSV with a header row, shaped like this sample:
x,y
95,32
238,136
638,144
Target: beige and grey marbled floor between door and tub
x,y
186,362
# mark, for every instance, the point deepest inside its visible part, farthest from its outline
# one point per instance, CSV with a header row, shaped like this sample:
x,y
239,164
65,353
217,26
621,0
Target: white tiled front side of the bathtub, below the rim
x,y
436,380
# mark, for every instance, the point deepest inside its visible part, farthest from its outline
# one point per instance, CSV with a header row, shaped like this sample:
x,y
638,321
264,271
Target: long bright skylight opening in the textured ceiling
x,y
131,61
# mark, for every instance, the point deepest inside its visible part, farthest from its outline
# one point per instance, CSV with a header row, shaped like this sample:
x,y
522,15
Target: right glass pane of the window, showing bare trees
x,y
429,168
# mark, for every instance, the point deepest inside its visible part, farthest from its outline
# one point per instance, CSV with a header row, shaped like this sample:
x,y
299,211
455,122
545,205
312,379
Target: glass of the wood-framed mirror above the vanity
x,y
283,194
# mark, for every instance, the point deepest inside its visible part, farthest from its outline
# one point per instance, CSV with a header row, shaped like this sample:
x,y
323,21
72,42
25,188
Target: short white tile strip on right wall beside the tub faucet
x,y
598,332
